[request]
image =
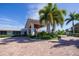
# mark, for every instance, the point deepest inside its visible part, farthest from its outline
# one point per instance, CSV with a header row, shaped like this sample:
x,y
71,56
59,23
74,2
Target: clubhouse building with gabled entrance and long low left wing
x,y
31,27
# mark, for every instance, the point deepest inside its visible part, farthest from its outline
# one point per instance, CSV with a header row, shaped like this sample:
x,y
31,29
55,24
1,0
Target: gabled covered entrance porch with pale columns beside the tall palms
x,y
32,26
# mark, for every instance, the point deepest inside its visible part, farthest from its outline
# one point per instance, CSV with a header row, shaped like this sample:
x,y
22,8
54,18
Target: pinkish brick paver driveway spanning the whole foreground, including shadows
x,y
23,46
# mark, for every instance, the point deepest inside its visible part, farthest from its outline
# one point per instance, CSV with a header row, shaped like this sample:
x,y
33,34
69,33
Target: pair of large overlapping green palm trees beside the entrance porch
x,y
51,15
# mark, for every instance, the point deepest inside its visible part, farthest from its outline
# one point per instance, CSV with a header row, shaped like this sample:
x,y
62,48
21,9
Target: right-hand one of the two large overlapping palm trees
x,y
58,16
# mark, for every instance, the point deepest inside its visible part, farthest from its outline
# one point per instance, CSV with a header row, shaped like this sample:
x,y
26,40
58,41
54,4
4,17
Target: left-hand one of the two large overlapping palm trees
x,y
44,16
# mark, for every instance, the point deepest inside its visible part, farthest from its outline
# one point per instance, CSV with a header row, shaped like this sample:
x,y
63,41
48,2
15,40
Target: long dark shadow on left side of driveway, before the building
x,y
19,40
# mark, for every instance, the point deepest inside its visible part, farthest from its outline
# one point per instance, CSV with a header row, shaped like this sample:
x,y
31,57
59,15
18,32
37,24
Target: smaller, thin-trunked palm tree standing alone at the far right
x,y
73,16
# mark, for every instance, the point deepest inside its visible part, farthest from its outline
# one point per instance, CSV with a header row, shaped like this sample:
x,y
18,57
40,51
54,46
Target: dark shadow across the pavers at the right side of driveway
x,y
63,43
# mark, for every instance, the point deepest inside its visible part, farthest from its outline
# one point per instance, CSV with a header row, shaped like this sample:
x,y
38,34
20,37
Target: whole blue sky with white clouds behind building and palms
x,y
14,16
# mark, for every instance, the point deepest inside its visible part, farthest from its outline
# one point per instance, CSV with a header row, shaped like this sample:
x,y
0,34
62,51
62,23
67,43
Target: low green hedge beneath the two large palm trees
x,y
45,35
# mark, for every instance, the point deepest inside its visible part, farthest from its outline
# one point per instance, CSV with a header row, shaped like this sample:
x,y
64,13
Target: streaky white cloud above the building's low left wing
x,y
6,23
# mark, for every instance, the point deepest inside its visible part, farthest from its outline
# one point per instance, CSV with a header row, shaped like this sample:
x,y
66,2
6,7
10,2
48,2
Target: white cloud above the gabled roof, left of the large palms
x,y
34,9
